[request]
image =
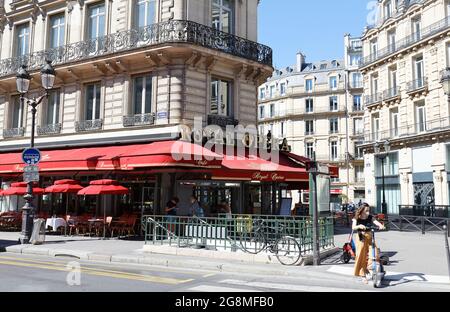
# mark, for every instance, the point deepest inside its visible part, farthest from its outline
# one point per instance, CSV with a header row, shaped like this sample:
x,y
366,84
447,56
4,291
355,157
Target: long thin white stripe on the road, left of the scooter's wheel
x,y
289,287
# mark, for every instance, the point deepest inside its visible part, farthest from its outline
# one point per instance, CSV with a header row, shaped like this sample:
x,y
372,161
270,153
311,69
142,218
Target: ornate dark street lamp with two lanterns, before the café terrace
x,y
23,79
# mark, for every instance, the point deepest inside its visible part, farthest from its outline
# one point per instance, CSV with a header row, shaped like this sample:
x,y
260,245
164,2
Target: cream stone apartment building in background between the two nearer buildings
x,y
318,108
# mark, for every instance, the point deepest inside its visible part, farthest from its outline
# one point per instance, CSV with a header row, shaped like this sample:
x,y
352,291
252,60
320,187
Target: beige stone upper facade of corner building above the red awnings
x,y
180,51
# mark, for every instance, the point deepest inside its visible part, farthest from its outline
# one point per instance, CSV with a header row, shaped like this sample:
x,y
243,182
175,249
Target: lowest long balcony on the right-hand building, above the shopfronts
x,y
411,130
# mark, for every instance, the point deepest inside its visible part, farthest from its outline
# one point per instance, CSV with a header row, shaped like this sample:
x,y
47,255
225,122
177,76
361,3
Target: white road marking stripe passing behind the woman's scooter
x,y
397,276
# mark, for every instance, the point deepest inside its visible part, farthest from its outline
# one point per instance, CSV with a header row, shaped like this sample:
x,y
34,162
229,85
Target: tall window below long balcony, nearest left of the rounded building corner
x,y
142,95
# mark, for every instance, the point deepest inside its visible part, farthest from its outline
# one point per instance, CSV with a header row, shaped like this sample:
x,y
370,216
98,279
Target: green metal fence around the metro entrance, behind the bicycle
x,y
230,232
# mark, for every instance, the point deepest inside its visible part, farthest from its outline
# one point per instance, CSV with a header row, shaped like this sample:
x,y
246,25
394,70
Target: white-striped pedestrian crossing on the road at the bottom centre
x,y
237,286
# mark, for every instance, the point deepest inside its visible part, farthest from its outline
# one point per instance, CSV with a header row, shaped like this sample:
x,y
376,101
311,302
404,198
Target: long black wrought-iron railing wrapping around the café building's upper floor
x,y
173,31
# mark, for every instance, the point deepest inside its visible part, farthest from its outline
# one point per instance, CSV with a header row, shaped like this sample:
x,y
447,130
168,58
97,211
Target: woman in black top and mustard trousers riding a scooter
x,y
363,261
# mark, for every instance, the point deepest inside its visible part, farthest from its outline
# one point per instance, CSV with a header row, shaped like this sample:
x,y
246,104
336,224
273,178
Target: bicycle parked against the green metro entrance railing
x,y
263,237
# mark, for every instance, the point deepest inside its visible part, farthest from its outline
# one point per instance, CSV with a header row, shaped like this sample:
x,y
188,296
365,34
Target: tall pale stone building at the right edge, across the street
x,y
407,125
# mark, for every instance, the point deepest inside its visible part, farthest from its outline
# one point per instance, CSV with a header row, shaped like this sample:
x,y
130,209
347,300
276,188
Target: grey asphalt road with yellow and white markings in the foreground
x,y
36,273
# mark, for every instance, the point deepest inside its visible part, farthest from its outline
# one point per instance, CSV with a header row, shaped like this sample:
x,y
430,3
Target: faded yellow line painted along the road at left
x,y
104,273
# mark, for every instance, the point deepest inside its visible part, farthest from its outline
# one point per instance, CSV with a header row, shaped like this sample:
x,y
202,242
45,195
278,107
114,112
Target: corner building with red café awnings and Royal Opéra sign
x,y
131,75
